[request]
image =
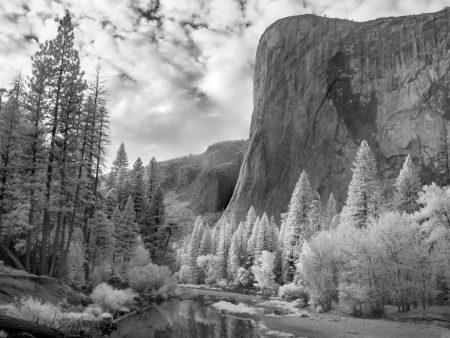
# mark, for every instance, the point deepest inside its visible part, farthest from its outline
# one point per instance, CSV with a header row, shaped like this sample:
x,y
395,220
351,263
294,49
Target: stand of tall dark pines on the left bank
x,y
60,215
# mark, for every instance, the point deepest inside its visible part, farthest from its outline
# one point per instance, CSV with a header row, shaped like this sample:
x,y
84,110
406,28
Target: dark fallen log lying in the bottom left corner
x,y
15,326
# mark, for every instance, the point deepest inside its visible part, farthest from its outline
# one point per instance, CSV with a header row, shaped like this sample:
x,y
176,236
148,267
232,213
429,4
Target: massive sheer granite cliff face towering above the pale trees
x,y
322,85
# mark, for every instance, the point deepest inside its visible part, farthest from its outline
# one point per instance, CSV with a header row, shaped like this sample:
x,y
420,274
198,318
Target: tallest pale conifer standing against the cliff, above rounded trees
x,y
362,198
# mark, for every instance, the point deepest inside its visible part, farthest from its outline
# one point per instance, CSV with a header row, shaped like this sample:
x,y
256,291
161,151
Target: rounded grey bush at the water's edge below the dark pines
x,y
152,278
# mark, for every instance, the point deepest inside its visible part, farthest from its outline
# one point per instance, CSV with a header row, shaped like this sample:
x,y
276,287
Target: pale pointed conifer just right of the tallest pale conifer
x,y
407,187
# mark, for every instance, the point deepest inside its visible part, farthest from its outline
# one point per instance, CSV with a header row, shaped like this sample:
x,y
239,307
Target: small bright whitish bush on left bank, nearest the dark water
x,y
113,299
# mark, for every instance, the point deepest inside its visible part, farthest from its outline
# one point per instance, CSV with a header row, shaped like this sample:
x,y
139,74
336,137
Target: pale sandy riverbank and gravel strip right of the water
x,y
329,324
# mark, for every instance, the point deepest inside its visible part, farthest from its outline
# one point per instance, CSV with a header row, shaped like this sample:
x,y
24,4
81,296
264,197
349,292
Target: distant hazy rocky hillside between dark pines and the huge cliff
x,y
206,181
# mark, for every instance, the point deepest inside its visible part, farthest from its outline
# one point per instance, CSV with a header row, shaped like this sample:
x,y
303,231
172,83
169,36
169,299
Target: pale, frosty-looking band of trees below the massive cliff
x,y
377,251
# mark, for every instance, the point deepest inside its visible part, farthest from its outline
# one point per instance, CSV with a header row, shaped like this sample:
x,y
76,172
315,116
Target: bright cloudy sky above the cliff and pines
x,y
179,72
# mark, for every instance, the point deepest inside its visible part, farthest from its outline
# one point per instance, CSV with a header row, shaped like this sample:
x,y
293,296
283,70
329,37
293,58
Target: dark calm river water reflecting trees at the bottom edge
x,y
186,318
